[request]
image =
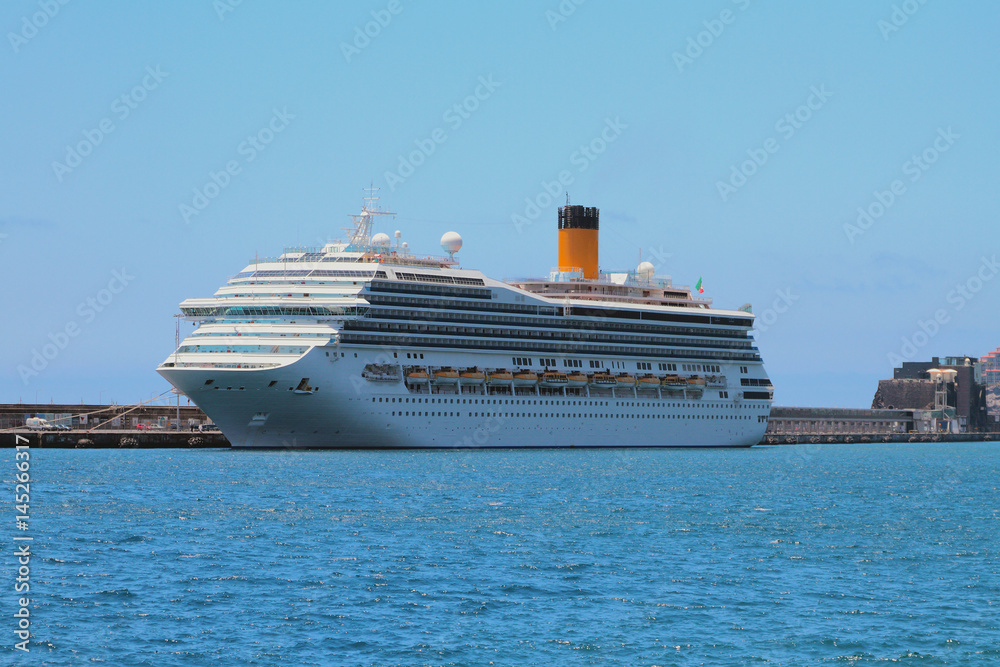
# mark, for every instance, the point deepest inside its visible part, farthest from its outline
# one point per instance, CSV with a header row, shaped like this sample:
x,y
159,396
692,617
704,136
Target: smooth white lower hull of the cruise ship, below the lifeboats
x,y
343,409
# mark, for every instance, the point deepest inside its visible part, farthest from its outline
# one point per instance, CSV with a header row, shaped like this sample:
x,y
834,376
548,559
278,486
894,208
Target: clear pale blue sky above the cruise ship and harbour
x,y
734,140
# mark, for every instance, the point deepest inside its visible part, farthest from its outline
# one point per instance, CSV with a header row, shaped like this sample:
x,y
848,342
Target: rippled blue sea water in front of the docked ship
x,y
791,555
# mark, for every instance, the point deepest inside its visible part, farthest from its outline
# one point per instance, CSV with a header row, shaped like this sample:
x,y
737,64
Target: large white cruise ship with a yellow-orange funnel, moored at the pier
x,y
361,344
